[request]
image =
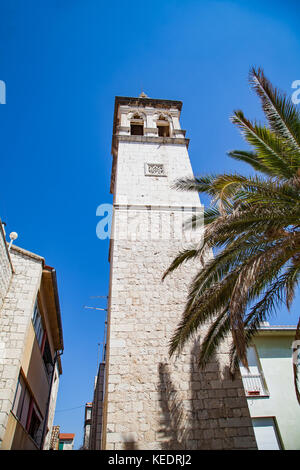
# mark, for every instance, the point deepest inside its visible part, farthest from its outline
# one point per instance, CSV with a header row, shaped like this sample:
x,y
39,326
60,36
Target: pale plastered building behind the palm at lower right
x,y
270,391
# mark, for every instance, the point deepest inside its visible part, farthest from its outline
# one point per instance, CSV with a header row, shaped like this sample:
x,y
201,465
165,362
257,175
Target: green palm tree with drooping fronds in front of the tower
x,y
253,226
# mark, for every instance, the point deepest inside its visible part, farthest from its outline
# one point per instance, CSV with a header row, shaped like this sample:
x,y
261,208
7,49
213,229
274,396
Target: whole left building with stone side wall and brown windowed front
x,y
31,342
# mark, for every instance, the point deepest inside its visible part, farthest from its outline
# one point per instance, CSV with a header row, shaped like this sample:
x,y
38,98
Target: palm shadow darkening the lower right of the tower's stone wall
x,y
214,417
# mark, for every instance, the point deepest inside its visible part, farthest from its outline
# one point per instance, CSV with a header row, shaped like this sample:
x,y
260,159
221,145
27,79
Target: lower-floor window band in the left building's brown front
x,y
25,409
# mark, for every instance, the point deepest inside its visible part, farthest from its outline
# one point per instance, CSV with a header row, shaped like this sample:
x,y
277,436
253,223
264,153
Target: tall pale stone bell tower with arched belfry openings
x,y
150,400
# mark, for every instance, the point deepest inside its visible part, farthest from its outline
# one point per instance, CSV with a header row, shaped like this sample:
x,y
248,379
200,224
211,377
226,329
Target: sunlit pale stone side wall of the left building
x,y
15,316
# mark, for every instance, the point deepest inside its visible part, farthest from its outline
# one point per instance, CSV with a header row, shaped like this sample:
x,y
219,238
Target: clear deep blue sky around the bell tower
x,y
63,62
